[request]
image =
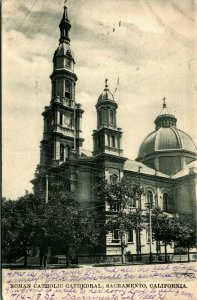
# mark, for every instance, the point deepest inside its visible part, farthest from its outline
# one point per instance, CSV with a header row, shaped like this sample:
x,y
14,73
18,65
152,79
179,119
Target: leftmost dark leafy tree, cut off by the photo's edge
x,y
21,223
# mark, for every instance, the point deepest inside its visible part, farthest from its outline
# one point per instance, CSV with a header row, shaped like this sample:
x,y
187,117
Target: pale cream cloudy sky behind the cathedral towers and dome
x,y
148,46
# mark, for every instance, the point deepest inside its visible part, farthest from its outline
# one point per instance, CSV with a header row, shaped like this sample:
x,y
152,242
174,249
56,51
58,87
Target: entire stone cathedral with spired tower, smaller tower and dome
x,y
166,166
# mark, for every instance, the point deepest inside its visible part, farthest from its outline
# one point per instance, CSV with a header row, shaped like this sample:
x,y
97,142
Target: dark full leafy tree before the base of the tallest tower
x,y
67,224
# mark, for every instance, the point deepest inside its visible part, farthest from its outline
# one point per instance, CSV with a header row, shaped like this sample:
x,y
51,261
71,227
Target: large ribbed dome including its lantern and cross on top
x,y
166,137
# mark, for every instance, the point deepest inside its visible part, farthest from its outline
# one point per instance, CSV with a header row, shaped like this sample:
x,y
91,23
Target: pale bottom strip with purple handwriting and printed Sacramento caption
x,y
169,281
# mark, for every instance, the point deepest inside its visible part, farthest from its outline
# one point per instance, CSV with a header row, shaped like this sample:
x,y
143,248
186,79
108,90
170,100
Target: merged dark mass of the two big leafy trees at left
x,y
29,221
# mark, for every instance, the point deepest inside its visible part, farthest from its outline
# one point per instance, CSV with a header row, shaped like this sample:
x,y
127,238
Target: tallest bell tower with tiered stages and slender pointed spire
x,y
62,118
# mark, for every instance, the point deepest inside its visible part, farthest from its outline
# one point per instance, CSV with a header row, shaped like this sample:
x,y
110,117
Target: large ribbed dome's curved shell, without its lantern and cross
x,y
166,138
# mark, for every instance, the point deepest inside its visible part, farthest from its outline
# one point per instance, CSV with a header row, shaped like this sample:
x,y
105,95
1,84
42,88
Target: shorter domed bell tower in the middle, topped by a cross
x,y
108,137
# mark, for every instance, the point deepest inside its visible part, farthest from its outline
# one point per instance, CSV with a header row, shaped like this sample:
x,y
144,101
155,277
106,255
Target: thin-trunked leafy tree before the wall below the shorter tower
x,y
121,196
